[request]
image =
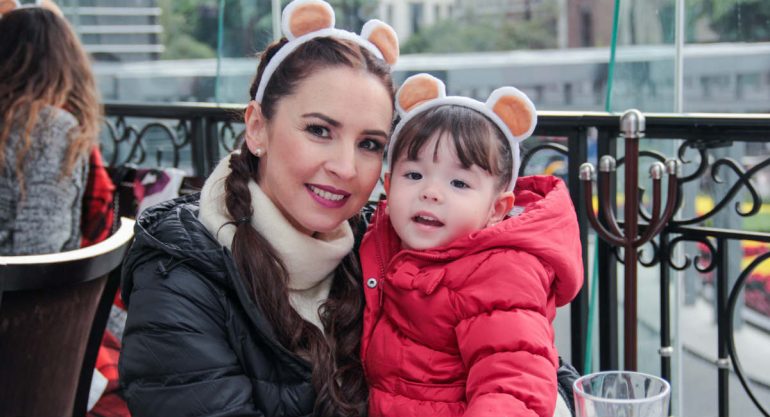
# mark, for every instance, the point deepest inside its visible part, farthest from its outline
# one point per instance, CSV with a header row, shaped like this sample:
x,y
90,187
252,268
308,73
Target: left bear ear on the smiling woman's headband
x,y
305,16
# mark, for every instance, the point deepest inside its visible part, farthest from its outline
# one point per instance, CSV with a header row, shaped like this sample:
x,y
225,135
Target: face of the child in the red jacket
x,y
432,202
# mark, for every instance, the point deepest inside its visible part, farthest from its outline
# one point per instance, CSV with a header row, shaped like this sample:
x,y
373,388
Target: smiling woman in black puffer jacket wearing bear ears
x,y
246,300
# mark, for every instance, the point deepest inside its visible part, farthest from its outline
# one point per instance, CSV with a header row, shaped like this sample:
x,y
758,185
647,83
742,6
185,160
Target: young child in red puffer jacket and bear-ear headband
x,y
460,294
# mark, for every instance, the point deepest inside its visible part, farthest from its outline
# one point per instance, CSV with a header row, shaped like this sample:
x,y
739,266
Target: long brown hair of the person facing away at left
x,y
42,63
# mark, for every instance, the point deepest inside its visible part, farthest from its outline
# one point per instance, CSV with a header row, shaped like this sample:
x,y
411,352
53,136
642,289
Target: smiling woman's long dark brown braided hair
x,y
337,374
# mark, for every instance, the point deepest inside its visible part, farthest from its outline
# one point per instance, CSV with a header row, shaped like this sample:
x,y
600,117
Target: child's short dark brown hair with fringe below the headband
x,y
477,140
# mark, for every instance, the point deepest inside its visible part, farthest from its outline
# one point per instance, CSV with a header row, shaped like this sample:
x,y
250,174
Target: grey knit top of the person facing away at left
x,y
47,220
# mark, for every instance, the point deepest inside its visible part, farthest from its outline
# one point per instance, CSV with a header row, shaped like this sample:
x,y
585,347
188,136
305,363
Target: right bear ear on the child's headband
x,y
515,109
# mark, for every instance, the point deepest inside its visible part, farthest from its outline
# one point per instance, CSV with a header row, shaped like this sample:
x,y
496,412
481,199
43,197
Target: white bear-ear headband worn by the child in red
x,y
510,109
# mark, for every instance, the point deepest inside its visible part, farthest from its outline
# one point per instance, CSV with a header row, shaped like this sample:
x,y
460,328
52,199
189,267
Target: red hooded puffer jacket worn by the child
x,y
465,329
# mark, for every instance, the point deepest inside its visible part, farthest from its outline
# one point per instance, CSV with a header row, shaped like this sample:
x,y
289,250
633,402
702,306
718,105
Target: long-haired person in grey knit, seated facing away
x,y
49,117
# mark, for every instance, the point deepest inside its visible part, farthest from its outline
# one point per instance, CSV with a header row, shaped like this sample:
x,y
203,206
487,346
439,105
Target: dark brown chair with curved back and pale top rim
x,y
53,311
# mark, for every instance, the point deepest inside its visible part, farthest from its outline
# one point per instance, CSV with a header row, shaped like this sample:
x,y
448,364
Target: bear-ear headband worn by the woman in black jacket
x,y
303,20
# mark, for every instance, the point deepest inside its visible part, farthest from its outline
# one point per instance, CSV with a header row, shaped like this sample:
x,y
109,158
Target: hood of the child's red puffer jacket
x,y
545,227
